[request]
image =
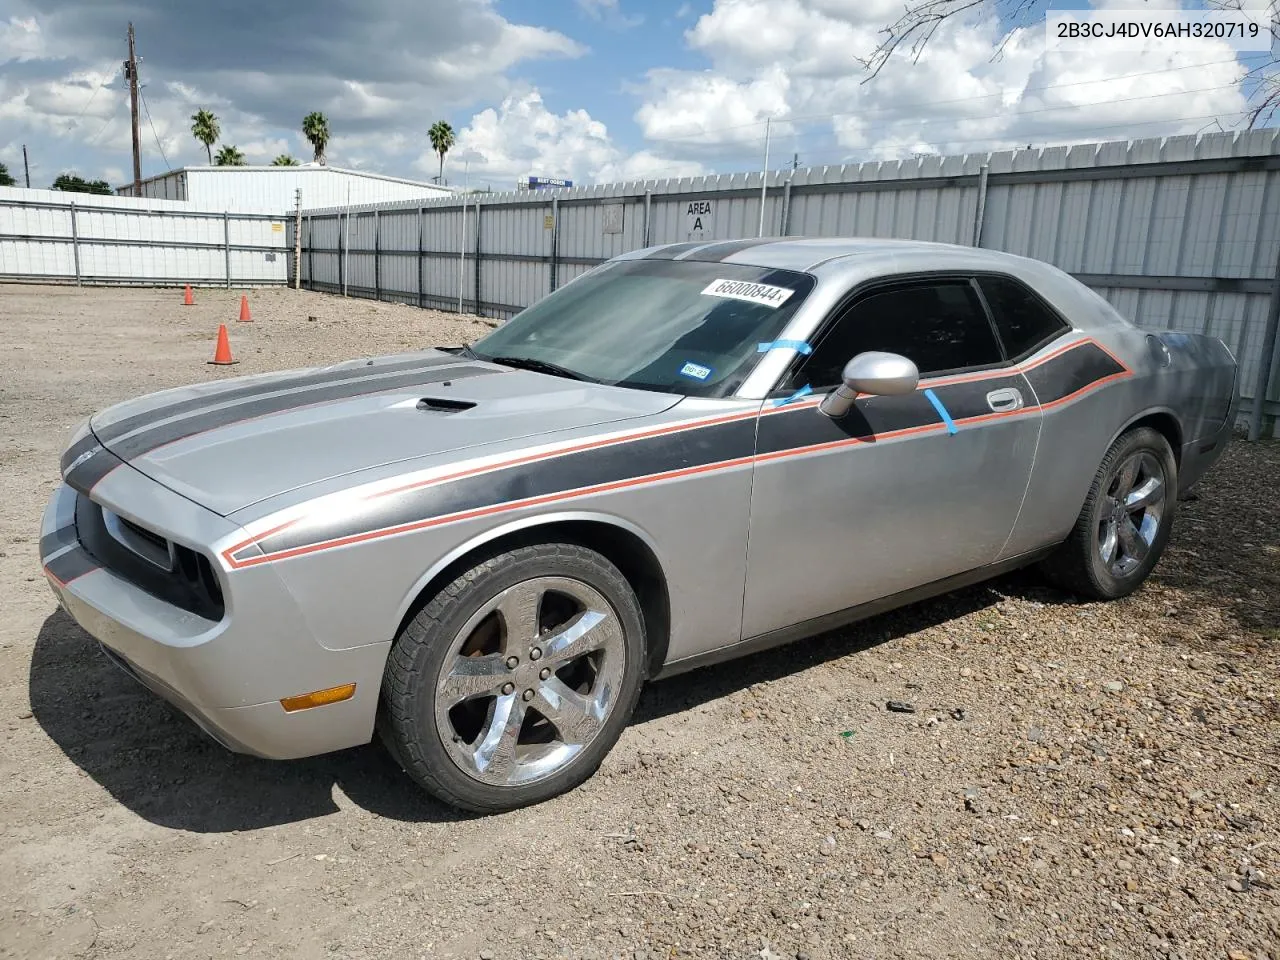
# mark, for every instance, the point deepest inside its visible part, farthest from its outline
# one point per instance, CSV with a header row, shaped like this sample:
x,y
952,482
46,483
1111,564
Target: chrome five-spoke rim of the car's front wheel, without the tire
x,y
529,682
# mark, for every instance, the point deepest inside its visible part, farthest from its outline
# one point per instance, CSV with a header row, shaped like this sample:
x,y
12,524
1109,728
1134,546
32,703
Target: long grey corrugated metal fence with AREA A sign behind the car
x,y
1177,234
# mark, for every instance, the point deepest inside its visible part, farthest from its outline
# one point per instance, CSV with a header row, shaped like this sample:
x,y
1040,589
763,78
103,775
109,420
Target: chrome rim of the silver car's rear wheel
x,y
1132,513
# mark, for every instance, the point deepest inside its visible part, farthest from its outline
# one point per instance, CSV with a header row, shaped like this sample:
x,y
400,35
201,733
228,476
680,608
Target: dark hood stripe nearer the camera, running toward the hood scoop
x,y
162,435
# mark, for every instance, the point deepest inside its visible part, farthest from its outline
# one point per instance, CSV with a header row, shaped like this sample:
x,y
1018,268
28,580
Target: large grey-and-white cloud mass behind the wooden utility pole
x,y
372,71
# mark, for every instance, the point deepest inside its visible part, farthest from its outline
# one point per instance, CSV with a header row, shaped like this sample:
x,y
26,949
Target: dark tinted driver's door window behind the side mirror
x,y
940,326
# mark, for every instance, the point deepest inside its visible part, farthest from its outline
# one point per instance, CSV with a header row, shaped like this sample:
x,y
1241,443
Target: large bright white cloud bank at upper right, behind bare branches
x,y
798,61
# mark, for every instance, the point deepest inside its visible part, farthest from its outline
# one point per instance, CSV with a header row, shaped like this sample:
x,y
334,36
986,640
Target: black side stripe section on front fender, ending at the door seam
x,y
604,465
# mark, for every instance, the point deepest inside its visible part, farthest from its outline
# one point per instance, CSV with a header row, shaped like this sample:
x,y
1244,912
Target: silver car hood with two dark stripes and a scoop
x,y
234,444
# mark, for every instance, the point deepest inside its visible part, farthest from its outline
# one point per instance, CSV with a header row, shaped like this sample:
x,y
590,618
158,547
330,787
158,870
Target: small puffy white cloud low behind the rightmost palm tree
x,y
523,138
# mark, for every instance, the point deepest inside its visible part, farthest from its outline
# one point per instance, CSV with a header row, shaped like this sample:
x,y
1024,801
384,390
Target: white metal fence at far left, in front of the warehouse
x,y
49,236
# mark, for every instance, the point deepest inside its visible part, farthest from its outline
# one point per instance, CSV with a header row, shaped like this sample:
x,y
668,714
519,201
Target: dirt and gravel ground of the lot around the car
x,y
1077,780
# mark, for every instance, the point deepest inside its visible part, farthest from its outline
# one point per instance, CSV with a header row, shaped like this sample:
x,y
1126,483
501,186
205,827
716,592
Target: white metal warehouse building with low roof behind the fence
x,y
272,189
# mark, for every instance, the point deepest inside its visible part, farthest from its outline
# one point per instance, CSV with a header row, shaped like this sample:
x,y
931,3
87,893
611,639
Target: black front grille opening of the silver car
x,y
188,583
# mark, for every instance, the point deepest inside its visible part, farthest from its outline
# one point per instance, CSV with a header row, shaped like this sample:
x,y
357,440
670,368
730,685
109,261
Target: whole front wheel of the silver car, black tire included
x,y
545,641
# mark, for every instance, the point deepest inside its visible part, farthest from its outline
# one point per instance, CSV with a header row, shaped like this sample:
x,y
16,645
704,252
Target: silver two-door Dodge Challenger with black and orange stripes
x,y
687,455
